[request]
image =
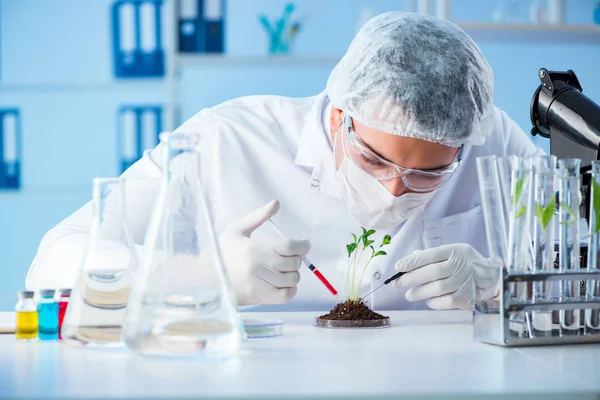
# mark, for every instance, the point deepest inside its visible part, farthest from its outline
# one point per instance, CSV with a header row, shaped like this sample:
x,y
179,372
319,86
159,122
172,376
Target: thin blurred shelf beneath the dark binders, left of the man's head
x,y
204,59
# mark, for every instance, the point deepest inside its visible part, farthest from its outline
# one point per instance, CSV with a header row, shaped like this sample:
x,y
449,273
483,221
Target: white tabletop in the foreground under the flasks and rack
x,y
424,353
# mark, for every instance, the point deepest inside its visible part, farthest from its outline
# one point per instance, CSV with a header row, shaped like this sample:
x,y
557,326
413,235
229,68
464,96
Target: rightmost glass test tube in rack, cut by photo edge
x,y
592,316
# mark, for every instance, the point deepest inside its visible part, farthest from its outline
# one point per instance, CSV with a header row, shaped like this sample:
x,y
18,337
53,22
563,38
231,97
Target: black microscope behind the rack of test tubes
x,y
563,114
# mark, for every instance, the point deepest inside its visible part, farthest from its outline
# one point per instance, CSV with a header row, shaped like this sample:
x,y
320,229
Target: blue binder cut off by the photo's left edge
x,y
10,149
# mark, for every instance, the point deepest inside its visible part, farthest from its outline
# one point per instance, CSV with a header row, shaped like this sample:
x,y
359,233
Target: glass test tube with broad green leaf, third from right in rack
x,y
543,238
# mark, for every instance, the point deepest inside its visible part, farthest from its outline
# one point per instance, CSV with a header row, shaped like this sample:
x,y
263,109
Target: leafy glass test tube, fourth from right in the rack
x,y
519,254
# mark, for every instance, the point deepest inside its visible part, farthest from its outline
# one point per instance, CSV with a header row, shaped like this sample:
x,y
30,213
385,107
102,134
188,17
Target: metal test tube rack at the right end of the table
x,y
492,318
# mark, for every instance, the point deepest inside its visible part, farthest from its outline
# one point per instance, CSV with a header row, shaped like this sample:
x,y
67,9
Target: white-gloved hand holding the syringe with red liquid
x,y
263,271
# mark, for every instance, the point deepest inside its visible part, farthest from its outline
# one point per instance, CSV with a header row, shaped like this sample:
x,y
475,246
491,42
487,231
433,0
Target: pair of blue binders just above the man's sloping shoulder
x,y
138,130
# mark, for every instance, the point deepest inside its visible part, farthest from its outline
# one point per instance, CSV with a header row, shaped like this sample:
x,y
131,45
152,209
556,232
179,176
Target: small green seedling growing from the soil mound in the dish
x,y
356,250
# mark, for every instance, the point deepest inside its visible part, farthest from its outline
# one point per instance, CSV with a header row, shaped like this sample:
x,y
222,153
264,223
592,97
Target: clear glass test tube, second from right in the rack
x,y
569,196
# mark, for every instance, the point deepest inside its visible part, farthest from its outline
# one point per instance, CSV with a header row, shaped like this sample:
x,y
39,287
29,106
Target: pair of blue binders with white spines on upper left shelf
x,y
137,44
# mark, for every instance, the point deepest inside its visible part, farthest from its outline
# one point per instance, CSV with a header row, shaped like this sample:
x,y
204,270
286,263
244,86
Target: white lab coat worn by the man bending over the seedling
x,y
261,148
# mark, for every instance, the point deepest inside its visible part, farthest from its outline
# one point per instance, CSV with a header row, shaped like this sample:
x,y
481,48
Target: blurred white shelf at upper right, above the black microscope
x,y
538,33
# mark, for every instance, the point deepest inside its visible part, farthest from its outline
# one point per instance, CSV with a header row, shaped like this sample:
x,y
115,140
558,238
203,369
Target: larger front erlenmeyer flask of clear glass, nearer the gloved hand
x,y
182,301
